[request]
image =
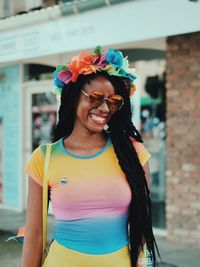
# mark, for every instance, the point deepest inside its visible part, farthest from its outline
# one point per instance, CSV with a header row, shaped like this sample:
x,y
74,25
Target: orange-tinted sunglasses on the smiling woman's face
x,y
96,99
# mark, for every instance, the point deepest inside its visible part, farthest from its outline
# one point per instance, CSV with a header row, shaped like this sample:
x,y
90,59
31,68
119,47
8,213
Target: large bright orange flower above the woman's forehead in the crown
x,y
81,64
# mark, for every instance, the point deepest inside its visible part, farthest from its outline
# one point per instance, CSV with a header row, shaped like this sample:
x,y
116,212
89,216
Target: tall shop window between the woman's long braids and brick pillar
x,y
153,129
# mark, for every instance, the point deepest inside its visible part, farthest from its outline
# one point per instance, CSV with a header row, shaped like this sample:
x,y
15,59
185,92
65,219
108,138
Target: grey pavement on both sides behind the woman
x,y
172,254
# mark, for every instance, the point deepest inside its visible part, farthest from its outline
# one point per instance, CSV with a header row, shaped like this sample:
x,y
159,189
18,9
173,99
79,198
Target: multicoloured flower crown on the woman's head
x,y
85,63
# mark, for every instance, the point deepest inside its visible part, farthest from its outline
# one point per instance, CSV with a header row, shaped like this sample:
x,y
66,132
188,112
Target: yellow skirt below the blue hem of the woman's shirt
x,y
59,256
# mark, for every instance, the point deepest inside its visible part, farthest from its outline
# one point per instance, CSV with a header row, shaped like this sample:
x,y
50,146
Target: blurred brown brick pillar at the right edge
x,y
183,138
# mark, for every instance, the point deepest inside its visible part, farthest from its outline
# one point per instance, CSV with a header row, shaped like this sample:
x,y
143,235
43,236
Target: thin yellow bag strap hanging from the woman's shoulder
x,y
45,195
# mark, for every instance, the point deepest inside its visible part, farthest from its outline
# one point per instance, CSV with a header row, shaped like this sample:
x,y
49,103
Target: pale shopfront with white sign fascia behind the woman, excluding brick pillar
x,y
28,56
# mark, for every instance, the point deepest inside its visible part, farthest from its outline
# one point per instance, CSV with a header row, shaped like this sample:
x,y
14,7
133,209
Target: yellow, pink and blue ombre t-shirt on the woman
x,y
90,197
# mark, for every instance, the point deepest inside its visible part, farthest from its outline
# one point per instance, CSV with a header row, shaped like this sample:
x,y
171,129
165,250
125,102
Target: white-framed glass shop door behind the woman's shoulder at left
x,y
40,119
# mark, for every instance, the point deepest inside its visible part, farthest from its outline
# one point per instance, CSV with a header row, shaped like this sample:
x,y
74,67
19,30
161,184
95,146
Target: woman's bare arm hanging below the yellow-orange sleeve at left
x,y
32,248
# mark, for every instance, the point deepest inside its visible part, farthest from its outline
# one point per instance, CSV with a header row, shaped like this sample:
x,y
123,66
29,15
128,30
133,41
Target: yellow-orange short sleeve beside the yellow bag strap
x,y
35,165
